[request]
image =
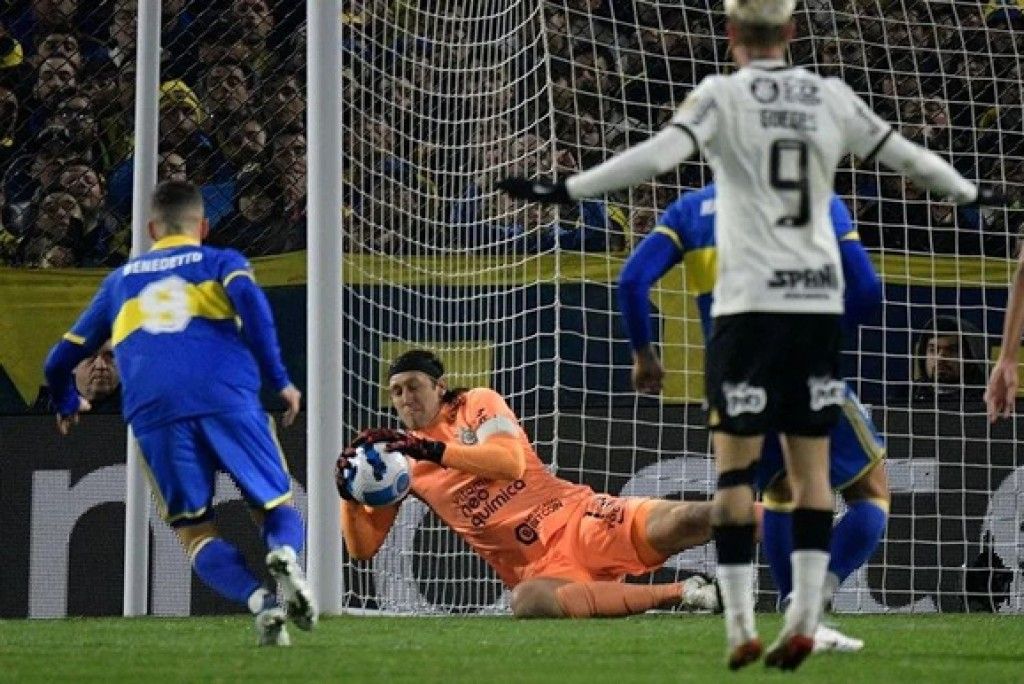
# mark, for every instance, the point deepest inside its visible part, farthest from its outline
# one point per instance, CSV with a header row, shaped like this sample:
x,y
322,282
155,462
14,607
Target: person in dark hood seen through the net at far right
x,y
950,362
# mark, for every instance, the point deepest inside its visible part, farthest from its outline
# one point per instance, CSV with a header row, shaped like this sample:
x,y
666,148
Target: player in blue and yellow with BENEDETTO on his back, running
x,y
191,332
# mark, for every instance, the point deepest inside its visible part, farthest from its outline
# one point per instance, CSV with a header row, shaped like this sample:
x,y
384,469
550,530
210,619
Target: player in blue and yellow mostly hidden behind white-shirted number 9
x,y
687,234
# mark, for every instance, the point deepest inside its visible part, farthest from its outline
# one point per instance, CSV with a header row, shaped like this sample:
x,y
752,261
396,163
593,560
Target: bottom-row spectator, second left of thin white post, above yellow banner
x,y
55,239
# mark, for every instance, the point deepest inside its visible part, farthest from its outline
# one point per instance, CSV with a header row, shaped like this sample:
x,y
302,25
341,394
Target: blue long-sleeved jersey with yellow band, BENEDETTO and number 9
x,y
191,332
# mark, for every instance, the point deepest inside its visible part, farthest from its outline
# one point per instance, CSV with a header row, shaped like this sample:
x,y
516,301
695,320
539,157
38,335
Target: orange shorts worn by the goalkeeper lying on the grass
x,y
604,540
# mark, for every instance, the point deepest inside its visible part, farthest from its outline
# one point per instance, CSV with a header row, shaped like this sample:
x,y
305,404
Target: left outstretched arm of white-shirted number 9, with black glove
x,y
656,156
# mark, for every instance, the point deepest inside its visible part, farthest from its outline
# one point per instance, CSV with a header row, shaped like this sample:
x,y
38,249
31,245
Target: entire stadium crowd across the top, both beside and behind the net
x,y
430,123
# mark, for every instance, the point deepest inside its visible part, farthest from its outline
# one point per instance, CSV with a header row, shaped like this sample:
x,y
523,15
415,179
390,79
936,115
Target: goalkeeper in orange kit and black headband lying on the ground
x,y
563,548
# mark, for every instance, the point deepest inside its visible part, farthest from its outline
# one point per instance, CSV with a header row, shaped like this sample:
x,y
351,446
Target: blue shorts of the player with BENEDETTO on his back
x,y
184,459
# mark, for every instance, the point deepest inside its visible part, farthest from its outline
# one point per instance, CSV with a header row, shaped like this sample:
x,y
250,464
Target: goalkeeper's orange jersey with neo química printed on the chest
x,y
508,523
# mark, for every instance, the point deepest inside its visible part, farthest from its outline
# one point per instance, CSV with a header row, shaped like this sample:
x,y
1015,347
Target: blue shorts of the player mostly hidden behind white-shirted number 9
x,y
856,447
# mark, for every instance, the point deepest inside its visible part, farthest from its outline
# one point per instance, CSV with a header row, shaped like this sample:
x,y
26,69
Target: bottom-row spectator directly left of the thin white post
x,y
105,241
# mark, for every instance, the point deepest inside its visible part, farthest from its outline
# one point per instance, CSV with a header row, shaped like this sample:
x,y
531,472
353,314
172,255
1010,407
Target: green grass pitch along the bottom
x,y
920,650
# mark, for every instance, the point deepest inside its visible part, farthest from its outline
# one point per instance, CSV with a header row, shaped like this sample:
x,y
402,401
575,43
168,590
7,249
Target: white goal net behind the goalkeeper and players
x,y
439,105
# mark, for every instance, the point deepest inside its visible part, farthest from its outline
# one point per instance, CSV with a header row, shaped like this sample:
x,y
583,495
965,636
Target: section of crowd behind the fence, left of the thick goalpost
x,y
232,116
